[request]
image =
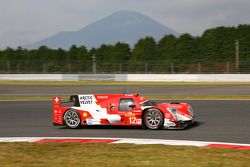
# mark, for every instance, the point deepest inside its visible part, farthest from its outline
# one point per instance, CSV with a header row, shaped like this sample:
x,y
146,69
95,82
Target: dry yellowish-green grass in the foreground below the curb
x,y
120,155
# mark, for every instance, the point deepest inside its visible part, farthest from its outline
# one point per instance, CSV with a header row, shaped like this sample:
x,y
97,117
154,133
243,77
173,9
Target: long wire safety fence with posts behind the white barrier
x,y
100,67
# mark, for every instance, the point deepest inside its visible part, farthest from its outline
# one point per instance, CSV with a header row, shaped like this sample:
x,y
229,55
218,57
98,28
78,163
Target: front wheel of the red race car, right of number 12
x,y
153,119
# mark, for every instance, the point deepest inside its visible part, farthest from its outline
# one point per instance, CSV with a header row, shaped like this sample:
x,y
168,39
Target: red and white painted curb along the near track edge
x,y
126,140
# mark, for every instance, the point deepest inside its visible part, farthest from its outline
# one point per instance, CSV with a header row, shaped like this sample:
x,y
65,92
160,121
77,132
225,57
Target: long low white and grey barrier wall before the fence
x,y
129,77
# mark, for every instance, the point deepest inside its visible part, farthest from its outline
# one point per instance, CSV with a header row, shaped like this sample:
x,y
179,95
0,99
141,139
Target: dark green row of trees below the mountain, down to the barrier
x,y
212,52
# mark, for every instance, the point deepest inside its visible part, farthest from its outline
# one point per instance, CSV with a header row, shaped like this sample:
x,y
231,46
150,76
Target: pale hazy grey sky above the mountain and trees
x,y
27,21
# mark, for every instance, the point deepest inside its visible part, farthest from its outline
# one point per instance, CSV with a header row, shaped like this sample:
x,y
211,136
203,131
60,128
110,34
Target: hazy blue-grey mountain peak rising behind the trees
x,y
122,26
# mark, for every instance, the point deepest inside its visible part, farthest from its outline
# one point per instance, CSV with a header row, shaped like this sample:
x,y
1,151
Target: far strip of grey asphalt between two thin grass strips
x,y
169,90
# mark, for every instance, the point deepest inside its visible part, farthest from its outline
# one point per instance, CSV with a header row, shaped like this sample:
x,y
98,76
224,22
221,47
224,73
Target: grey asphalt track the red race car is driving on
x,y
220,121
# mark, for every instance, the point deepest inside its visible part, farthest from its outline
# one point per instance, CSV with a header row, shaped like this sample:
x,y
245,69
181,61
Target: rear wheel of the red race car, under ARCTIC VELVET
x,y
72,119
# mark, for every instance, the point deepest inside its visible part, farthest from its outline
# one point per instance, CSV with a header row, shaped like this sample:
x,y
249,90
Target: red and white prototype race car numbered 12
x,y
121,110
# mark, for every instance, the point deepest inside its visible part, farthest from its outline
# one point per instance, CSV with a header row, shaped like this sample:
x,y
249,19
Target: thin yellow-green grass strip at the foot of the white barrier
x,y
113,83
